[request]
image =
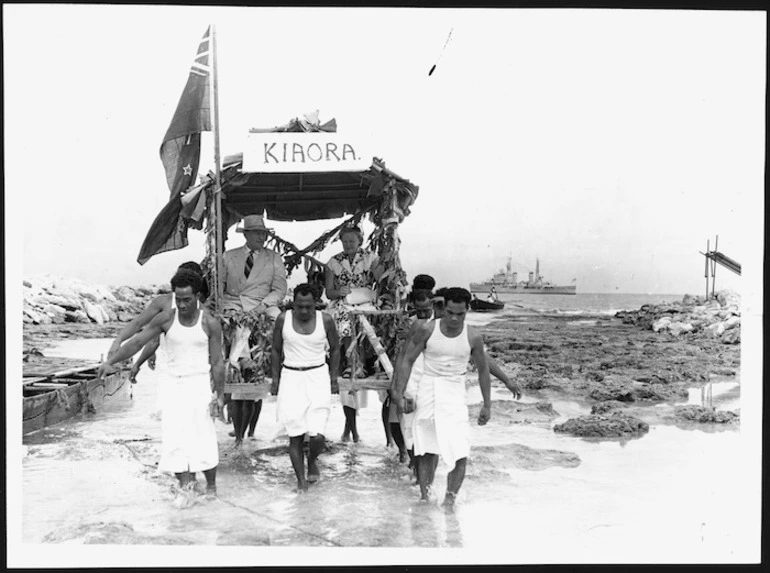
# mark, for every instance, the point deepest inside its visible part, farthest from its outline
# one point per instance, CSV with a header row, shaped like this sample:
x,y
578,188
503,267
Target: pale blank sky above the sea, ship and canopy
x,y
608,144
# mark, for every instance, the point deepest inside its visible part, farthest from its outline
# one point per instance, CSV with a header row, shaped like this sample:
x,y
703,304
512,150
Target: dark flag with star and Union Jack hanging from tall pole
x,y
180,154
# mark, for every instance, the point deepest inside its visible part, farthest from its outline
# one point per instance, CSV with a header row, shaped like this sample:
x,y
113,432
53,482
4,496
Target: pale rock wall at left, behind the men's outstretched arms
x,y
56,300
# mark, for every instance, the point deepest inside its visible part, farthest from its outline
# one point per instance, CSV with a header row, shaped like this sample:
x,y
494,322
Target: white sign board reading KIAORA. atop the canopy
x,y
303,152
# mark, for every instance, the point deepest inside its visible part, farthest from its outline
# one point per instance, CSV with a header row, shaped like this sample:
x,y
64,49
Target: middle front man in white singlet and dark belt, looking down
x,y
302,380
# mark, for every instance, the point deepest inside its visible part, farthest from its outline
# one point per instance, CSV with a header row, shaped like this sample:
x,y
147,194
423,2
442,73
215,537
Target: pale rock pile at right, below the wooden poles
x,y
718,318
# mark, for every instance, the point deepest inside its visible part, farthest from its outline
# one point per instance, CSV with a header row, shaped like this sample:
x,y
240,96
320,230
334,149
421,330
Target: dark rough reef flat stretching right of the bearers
x,y
621,364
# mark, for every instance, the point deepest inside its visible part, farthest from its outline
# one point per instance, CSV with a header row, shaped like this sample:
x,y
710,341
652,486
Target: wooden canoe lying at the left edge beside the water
x,y
57,396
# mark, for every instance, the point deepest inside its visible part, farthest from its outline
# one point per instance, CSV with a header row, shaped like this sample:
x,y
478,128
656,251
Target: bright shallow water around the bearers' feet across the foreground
x,y
530,495
